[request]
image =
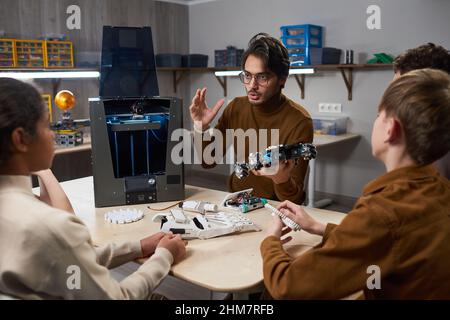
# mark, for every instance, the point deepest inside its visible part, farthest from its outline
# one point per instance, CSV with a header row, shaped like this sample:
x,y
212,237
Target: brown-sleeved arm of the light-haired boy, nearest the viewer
x,y
338,266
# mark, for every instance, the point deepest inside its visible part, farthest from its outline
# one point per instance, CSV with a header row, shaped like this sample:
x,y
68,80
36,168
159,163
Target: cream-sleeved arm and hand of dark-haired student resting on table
x,y
70,257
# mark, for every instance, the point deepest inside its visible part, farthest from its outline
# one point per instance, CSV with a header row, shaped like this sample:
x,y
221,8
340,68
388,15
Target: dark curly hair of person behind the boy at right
x,y
425,56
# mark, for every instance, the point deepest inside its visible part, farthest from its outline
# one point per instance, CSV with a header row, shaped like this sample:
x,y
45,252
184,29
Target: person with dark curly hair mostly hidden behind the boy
x,y
426,56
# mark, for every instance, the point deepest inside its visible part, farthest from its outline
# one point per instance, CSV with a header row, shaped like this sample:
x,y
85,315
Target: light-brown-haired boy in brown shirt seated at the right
x,y
394,244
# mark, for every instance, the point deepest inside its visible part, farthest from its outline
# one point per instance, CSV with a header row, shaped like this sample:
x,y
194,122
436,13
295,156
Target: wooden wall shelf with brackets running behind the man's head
x,y
345,69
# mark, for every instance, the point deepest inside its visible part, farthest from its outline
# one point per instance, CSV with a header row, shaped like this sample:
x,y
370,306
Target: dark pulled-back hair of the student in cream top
x,y
21,105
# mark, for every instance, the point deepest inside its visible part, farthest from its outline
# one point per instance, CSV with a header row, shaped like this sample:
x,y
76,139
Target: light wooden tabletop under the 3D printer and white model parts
x,y
225,264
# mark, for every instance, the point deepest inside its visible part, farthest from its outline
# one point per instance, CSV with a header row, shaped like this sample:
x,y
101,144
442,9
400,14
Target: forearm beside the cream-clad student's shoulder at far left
x,y
51,191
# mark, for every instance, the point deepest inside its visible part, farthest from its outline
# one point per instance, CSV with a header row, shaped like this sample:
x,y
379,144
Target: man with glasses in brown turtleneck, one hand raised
x,y
265,70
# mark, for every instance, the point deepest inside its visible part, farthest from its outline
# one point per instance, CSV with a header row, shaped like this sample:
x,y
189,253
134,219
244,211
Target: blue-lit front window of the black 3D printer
x,y
138,140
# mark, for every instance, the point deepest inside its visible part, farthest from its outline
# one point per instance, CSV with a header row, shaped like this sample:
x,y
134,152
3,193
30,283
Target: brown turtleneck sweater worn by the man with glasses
x,y
294,124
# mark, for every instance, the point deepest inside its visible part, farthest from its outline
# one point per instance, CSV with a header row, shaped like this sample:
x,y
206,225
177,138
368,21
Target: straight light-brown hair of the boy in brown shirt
x,y
420,100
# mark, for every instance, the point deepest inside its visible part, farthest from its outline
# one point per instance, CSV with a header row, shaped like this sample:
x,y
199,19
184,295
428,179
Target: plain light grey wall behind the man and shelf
x,y
405,23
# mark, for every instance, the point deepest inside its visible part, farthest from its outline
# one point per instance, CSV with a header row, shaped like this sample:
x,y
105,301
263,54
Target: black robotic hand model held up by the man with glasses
x,y
273,155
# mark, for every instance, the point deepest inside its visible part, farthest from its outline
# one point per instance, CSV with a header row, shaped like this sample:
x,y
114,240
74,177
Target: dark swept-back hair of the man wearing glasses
x,y
273,53
